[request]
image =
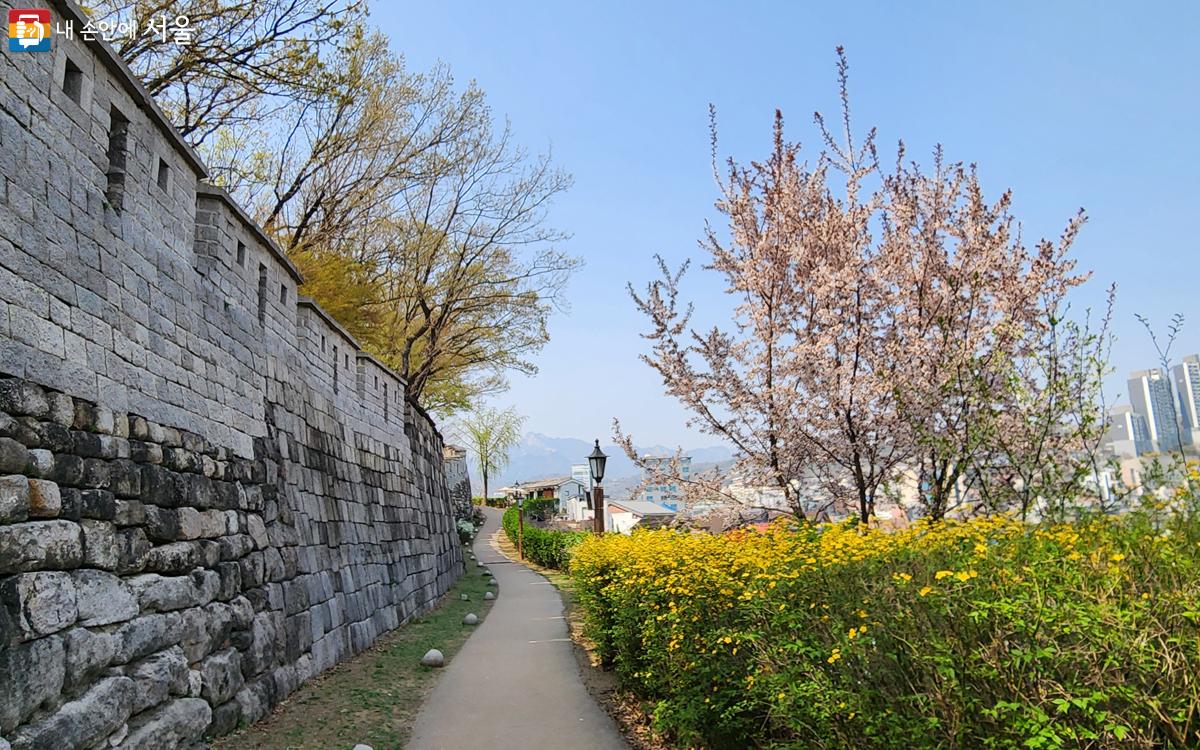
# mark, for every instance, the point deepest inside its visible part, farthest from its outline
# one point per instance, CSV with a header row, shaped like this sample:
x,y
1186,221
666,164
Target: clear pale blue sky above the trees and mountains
x,y
1069,104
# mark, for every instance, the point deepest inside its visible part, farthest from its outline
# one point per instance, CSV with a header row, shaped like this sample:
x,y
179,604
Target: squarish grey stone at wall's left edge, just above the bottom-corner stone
x,y
31,675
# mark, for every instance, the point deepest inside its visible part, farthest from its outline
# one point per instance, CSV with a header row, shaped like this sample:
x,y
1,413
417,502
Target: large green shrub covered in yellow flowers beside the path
x,y
981,634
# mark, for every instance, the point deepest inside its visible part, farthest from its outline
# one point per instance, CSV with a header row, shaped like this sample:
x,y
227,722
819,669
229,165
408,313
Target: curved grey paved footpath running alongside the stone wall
x,y
515,685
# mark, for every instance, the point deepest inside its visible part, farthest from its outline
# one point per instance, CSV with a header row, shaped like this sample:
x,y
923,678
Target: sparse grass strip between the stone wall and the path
x,y
374,698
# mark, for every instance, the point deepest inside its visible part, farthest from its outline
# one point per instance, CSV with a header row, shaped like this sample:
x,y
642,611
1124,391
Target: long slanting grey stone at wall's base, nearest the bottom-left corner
x,y
83,723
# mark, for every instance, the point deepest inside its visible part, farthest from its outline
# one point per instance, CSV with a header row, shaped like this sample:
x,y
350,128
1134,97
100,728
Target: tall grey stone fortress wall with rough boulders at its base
x,y
208,493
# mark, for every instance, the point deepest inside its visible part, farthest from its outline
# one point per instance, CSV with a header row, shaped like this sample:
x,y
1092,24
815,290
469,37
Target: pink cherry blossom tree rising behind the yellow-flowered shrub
x,y
880,321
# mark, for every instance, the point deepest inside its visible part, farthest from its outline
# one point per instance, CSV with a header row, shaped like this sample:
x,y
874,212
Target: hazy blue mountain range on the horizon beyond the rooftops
x,y
539,457
